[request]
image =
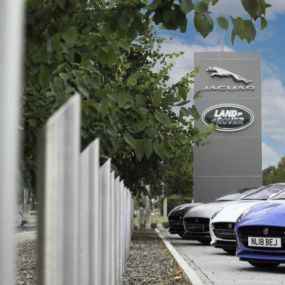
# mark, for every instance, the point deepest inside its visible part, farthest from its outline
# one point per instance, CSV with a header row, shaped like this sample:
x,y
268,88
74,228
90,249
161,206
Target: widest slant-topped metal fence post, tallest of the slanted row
x,y
58,196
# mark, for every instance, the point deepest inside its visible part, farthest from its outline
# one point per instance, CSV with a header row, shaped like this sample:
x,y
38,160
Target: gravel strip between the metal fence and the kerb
x,y
149,262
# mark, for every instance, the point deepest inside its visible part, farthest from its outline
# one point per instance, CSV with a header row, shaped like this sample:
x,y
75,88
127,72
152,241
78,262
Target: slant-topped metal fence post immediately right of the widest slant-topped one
x,y
89,264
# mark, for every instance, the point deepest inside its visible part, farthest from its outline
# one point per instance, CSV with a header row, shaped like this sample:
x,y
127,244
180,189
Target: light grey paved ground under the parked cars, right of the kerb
x,y
216,267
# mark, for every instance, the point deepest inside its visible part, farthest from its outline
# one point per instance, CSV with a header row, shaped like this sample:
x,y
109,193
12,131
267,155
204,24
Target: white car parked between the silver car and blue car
x,y
222,223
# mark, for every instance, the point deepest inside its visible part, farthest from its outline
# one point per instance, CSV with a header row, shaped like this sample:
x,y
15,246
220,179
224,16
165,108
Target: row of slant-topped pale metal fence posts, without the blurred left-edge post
x,y
85,212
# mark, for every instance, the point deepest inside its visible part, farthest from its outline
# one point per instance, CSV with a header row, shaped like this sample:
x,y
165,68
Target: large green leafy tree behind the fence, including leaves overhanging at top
x,y
106,51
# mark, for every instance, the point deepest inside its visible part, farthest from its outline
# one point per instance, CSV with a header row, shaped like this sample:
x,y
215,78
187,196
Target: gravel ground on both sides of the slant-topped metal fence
x,y
149,262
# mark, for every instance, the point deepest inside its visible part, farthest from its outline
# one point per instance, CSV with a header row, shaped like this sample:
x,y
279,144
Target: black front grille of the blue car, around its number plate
x,y
257,231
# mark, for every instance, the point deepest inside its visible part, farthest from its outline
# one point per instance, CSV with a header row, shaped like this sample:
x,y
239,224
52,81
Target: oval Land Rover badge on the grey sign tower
x,y
228,117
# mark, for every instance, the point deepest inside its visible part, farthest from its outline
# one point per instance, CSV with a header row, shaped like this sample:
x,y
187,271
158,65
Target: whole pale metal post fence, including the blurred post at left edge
x,y
84,225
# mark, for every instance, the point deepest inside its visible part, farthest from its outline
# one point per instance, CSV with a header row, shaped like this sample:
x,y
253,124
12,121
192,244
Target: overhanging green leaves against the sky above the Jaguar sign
x,y
175,15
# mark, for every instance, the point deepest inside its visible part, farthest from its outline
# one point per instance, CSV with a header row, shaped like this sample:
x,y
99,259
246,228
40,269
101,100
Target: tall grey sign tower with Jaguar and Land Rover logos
x,y
231,99
